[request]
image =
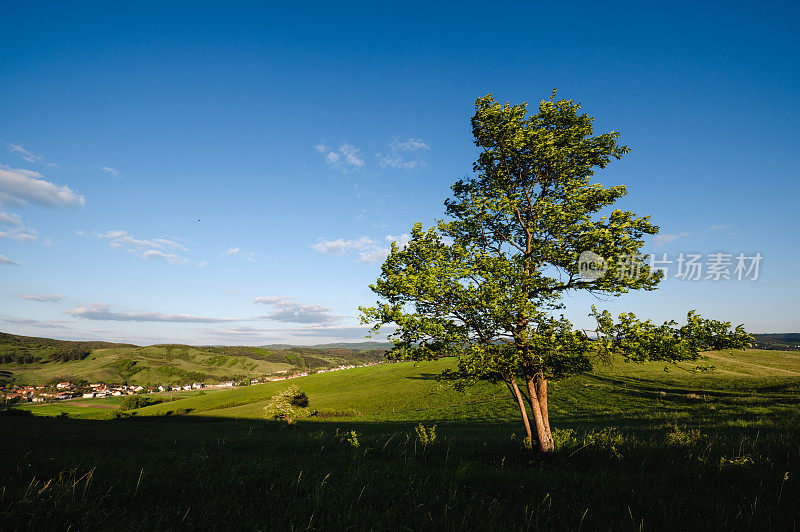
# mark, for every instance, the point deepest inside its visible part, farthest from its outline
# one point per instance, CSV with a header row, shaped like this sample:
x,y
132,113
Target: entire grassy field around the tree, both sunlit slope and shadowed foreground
x,y
637,447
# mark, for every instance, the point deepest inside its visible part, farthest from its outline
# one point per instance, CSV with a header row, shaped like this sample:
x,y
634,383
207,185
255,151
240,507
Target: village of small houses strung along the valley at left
x,y
66,390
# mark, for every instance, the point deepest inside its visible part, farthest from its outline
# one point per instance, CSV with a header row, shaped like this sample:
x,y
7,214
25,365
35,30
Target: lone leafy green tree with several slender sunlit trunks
x,y
485,284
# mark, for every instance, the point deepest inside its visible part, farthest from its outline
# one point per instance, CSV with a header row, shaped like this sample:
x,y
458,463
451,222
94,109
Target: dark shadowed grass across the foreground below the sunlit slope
x,y
192,472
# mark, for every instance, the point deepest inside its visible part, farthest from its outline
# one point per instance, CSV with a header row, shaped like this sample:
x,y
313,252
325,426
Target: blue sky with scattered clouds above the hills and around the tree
x,y
189,173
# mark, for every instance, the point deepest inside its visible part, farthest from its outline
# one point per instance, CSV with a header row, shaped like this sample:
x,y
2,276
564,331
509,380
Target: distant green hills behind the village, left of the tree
x,y
33,360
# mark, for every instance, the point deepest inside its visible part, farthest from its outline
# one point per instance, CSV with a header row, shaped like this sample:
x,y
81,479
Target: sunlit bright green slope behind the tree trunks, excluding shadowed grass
x,y
404,391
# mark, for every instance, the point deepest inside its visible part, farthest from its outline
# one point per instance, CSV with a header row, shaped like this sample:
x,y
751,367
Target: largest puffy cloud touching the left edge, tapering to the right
x,y
20,187
